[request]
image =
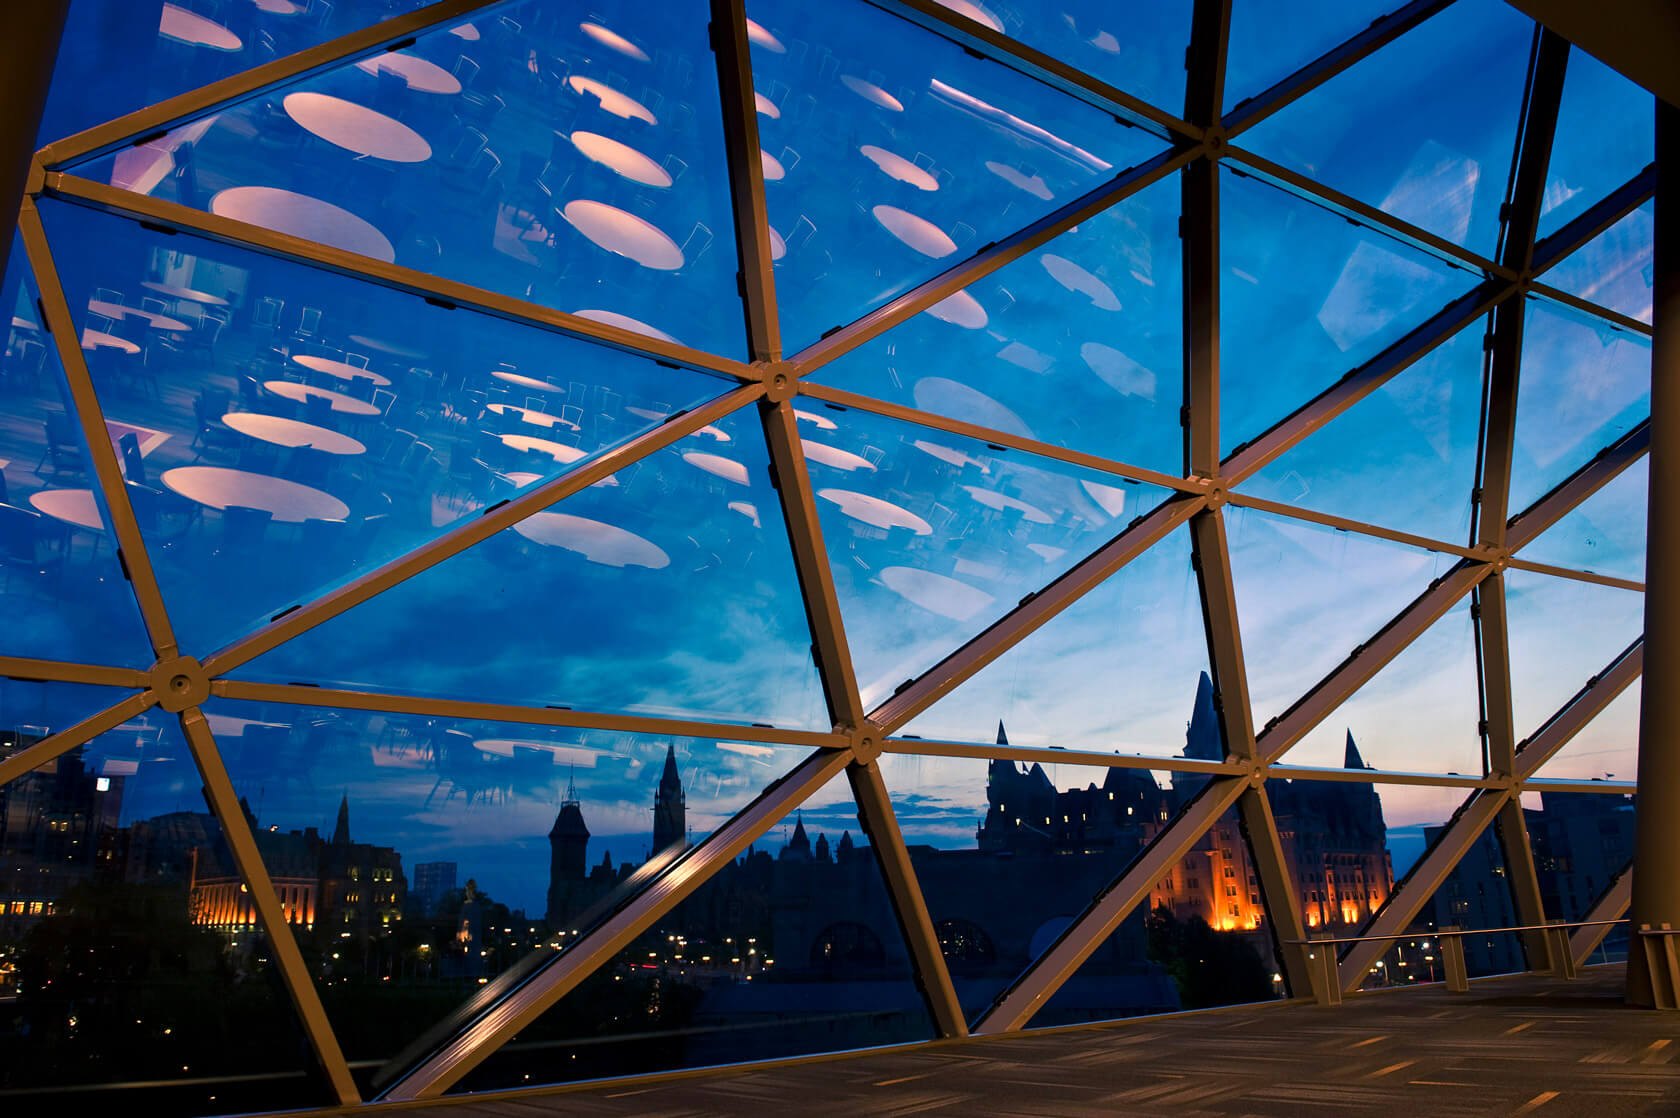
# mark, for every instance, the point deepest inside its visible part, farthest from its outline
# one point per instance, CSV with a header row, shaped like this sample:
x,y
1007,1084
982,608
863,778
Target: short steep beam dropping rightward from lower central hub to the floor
x,y
881,826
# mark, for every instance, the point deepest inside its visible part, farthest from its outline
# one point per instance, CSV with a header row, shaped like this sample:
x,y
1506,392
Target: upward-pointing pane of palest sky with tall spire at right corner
x,y
1121,670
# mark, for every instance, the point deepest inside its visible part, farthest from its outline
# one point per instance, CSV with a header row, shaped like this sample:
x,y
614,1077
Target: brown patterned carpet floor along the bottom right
x,y
1511,1047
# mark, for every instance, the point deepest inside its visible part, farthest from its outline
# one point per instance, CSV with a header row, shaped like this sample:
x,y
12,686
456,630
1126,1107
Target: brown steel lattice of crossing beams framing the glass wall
x,y
1200,142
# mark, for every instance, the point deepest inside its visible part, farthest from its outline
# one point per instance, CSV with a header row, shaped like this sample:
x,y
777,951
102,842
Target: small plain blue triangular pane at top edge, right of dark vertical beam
x,y
1273,40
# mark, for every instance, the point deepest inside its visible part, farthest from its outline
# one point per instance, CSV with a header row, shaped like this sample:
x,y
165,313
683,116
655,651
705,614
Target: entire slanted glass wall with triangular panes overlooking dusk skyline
x,y
552,542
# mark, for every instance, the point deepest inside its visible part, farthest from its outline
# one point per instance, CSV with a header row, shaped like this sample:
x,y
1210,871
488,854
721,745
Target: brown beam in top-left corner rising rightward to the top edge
x,y
157,119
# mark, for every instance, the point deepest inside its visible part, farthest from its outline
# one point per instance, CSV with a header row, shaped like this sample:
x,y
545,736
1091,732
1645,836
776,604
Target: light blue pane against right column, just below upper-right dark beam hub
x,y
1583,386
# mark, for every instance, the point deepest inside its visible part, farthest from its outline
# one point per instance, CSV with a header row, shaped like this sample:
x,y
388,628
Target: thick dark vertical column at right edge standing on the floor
x,y
1657,830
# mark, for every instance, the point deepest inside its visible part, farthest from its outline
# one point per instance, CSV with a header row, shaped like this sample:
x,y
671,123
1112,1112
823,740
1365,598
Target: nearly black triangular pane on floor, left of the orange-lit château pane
x,y
790,951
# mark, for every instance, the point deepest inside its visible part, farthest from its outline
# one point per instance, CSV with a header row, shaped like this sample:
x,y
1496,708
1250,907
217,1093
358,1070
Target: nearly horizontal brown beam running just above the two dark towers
x,y
333,699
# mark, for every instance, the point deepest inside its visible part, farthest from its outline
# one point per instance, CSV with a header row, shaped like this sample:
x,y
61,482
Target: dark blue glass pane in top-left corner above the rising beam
x,y
125,55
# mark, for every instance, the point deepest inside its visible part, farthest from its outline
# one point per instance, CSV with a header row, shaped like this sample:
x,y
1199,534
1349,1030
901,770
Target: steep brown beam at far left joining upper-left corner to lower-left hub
x,y
108,472
